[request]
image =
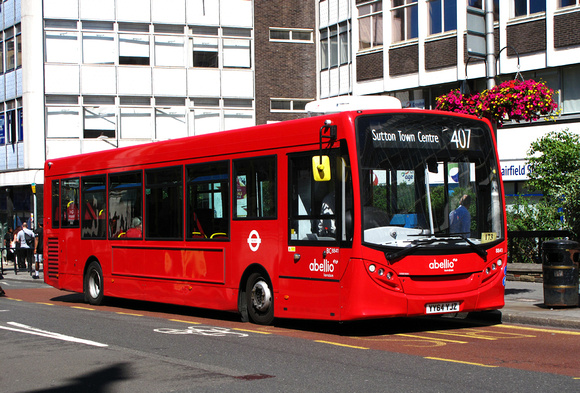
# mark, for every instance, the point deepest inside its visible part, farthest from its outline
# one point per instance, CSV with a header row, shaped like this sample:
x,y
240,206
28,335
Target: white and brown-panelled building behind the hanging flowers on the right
x,y
416,50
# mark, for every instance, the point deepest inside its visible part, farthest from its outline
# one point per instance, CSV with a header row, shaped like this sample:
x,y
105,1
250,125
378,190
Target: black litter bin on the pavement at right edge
x,y
560,266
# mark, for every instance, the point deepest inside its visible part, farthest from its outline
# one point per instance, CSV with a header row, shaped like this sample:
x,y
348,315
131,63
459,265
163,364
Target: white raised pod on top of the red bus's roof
x,y
352,103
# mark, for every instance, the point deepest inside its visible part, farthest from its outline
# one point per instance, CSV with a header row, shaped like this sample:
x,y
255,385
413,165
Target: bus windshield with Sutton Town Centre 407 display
x,y
428,179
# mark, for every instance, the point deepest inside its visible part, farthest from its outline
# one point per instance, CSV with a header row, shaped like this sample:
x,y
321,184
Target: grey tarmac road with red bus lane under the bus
x,y
53,342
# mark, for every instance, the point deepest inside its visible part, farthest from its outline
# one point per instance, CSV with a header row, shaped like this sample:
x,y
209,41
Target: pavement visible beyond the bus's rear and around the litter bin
x,y
524,304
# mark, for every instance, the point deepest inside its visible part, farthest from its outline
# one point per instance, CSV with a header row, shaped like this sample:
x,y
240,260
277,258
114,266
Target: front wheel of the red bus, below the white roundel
x,y
260,299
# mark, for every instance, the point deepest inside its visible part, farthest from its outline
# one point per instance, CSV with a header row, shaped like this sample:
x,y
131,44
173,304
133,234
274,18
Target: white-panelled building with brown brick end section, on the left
x,y
80,76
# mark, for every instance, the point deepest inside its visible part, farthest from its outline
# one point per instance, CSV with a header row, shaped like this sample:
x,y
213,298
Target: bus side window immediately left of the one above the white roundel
x,y
208,190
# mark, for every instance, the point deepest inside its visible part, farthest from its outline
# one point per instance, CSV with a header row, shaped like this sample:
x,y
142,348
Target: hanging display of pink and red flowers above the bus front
x,y
512,100
